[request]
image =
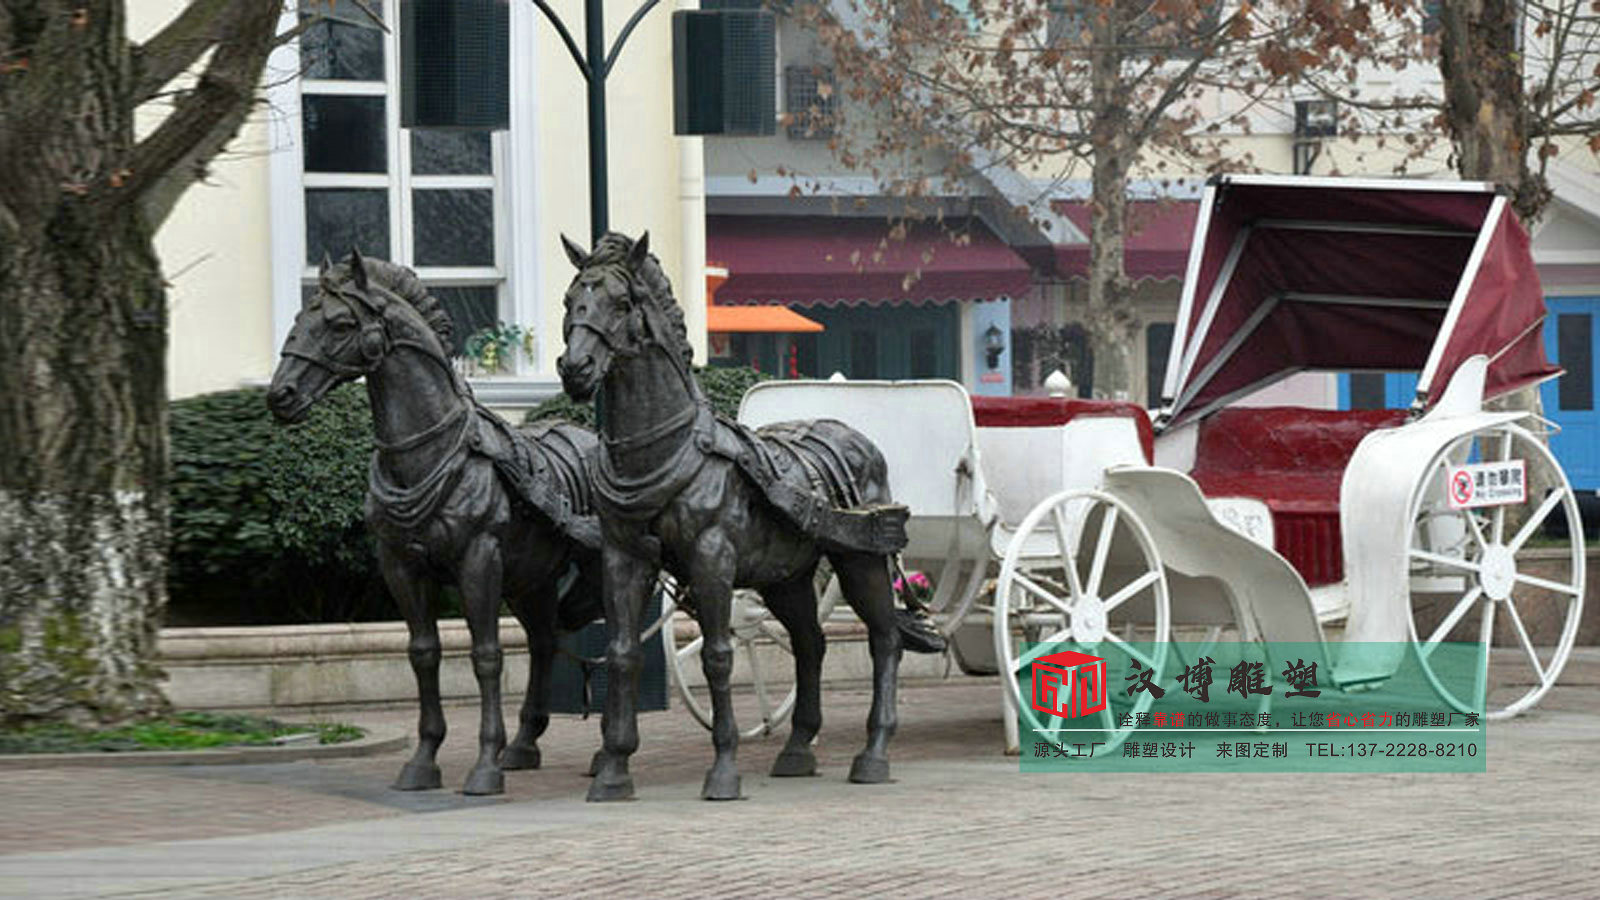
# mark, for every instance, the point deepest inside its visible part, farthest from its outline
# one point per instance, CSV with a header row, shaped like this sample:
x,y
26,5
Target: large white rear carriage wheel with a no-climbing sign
x,y
1473,568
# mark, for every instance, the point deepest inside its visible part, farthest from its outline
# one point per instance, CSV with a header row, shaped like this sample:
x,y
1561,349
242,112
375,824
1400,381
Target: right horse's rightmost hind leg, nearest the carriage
x,y
866,584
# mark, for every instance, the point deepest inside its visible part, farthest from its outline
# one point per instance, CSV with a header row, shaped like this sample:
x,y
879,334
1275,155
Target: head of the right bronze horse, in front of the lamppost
x,y
606,315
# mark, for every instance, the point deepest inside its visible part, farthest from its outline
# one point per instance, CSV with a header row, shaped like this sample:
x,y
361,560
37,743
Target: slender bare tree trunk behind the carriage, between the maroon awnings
x,y
1111,319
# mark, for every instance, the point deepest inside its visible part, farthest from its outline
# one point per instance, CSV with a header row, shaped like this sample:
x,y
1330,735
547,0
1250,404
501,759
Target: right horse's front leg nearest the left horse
x,y
628,582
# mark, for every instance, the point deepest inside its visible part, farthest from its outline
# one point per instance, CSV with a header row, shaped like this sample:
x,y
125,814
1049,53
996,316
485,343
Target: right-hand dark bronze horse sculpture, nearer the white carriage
x,y
719,508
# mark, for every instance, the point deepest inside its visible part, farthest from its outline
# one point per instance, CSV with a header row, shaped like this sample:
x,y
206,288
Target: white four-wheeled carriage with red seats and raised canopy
x,y
1268,524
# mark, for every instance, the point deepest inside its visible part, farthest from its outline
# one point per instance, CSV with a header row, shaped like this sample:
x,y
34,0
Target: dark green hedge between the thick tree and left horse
x,y
268,520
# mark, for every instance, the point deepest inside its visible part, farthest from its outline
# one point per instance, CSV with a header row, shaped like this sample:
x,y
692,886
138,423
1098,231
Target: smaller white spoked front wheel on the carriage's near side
x,y
1102,571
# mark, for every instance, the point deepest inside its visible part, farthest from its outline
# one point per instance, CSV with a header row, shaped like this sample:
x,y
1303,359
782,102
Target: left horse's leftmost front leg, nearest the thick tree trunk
x,y
415,592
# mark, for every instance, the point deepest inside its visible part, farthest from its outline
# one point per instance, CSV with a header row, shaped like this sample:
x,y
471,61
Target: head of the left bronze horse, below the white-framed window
x,y
345,331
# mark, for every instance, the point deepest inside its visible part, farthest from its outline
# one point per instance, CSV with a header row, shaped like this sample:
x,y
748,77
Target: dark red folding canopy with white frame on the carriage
x,y
1294,275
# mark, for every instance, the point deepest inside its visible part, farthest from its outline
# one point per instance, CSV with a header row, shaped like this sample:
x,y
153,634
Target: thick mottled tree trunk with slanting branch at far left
x,y
84,331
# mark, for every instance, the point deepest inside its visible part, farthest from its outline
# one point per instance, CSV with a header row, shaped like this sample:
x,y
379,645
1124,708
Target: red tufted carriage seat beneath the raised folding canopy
x,y
1294,460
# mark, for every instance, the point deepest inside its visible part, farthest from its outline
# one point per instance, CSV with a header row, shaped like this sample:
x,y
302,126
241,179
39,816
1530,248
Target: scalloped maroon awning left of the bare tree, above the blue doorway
x,y
839,260
